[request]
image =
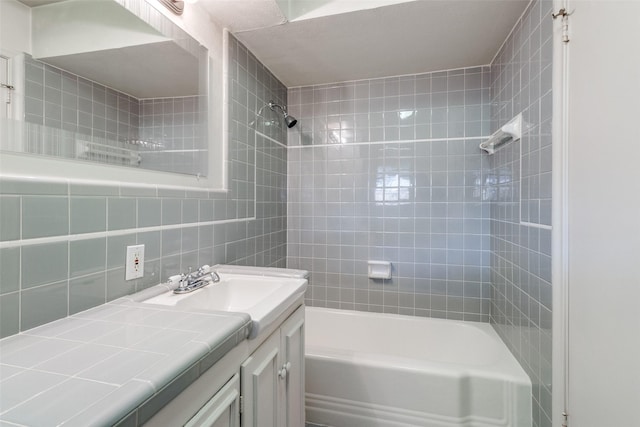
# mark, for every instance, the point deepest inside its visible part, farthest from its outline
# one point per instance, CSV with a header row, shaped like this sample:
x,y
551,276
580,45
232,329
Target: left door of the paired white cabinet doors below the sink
x,y
260,382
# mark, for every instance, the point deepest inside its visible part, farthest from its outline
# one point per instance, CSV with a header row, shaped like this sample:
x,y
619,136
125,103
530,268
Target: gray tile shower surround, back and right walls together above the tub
x,y
390,169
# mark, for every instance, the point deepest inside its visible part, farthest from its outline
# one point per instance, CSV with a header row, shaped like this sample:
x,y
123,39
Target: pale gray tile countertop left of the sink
x,y
116,363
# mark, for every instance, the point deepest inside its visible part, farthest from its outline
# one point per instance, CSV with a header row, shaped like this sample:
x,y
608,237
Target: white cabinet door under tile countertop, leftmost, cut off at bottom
x,y
223,410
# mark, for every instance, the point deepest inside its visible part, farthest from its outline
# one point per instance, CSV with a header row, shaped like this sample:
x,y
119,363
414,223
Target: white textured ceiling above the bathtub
x,y
406,38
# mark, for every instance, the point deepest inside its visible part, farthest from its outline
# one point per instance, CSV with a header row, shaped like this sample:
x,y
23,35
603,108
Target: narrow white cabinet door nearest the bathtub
x,y
292,391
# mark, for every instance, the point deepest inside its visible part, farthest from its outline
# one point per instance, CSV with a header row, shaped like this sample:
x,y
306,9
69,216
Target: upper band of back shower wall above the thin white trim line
x,y
446,104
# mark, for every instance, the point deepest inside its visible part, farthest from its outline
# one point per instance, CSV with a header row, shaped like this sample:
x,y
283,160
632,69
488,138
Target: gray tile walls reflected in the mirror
x,y
83,109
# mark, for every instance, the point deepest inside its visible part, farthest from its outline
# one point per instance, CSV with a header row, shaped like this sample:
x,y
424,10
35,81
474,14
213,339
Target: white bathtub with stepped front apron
x,y
384,370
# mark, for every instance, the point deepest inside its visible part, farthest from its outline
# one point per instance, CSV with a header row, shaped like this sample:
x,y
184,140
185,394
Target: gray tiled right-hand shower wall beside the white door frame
x,y
520,185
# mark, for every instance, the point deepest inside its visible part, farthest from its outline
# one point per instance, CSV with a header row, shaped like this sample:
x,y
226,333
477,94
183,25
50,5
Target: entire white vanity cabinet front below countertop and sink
x,y
260,383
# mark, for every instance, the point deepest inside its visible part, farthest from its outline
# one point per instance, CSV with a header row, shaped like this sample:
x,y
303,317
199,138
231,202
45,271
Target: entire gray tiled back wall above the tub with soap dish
x,y
390,169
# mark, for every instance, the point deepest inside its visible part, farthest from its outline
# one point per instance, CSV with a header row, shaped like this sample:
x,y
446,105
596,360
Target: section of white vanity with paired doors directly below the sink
x,y
272,378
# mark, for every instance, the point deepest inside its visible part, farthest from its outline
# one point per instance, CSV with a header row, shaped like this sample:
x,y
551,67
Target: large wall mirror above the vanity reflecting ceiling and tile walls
x,y
97,86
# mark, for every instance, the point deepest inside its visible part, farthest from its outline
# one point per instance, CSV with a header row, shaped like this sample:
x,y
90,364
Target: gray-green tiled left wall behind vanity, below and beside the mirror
x,y
62,246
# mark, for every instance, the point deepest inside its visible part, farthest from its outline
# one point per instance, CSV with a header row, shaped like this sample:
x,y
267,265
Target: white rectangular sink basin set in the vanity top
x,y
263,298
